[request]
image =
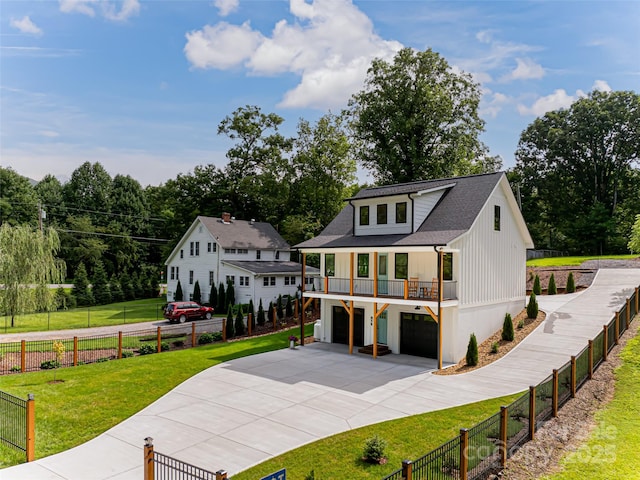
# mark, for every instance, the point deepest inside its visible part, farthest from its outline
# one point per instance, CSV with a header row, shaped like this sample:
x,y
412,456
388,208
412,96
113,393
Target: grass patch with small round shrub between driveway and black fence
x,y
339,456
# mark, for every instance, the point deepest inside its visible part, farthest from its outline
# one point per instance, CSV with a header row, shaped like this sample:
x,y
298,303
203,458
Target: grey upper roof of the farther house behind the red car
x,y
245,234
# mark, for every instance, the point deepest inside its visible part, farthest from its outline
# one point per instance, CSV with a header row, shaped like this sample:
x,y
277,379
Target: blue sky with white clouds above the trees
x,y
141,86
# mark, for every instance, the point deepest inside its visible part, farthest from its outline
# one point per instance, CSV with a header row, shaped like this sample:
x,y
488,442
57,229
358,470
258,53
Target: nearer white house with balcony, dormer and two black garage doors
x,y
416,268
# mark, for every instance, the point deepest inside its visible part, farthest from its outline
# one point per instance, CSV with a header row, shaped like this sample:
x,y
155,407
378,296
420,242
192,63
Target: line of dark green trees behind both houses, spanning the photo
x,y
576,176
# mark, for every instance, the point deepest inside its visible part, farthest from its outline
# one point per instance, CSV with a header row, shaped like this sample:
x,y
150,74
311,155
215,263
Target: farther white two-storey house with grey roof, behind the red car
x,y
250,255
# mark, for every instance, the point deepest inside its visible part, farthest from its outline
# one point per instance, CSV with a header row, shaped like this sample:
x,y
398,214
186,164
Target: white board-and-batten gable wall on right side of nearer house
x,y
492,263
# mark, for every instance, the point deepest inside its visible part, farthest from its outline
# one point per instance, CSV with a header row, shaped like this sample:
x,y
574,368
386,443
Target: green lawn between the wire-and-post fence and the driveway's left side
x,y
94,398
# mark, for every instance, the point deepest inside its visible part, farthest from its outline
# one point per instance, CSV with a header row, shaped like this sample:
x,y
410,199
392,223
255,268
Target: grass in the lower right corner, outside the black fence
x,y
611,451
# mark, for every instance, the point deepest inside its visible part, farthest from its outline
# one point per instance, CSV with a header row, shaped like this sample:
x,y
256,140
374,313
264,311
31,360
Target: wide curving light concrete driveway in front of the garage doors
x,y
239,413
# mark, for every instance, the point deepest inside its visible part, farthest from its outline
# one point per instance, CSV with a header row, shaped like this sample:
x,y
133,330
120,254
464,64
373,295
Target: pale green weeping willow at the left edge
x,y
28,264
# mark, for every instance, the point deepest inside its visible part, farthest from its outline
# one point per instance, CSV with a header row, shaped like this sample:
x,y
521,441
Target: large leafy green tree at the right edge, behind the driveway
x,y
577,171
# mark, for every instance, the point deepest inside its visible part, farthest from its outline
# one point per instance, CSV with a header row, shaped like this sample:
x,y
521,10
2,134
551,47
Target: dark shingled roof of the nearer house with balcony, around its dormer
x,y
451,217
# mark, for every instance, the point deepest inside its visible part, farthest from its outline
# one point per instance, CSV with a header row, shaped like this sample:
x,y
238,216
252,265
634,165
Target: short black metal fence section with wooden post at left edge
x,y
17,427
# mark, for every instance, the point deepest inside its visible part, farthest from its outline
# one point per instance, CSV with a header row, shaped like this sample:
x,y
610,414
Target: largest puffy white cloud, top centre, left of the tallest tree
x,y
330,46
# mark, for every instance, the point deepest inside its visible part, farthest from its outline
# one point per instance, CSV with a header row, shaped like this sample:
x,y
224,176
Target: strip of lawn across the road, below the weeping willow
x,y
104,315
